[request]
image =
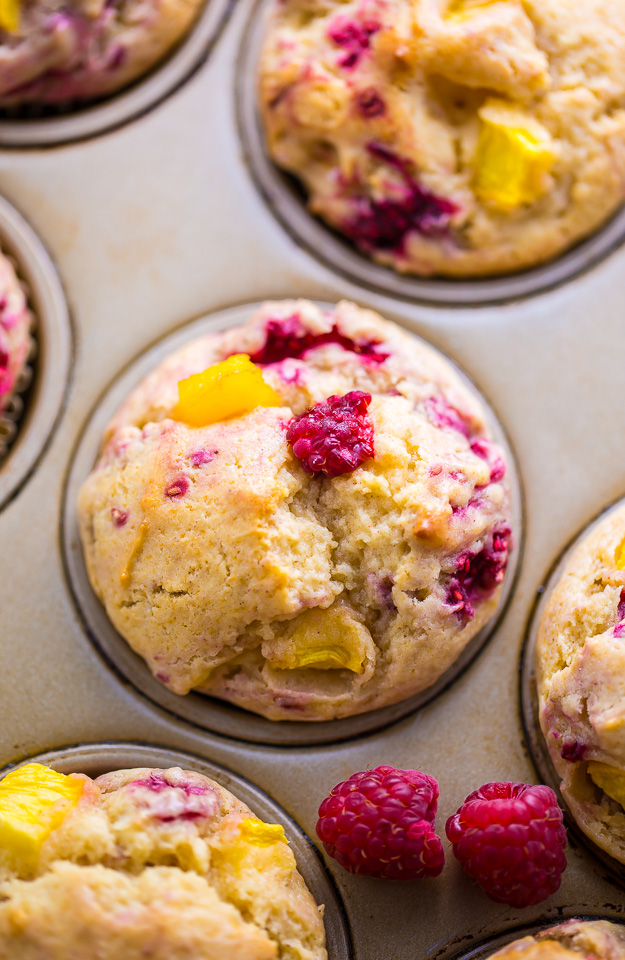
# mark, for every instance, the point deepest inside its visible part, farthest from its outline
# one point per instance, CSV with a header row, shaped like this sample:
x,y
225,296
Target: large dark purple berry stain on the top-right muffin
x,y
386,224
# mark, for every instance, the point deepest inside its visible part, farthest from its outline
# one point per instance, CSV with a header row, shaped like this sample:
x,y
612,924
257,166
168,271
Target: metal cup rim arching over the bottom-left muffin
x,y
95,759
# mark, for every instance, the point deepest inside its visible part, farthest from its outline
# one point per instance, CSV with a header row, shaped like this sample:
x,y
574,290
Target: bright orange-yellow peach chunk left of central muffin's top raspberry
x,y
226,390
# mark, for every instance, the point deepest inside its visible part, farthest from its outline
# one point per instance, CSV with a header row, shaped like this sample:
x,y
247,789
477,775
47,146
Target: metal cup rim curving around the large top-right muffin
x,y
342,258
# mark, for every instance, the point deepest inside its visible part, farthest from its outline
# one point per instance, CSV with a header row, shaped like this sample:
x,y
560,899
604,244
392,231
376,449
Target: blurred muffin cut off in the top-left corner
x,y
59,51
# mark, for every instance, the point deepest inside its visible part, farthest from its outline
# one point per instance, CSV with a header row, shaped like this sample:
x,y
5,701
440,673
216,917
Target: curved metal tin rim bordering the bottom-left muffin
x,y
310,862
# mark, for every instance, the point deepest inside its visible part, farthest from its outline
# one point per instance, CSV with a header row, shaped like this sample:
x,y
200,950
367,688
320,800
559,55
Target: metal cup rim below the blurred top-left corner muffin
x,y
131,103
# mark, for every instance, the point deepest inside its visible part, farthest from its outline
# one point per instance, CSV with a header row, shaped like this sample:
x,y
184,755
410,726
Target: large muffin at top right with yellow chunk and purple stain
x,y
450,137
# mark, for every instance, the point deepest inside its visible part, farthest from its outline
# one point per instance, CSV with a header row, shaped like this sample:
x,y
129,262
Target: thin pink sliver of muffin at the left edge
x,y
15,338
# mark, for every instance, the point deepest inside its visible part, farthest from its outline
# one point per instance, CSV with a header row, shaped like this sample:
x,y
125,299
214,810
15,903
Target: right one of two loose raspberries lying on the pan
x,y
510,838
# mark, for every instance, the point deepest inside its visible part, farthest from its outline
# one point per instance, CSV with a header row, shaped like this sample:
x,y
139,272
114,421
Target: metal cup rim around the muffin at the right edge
x,y
529,696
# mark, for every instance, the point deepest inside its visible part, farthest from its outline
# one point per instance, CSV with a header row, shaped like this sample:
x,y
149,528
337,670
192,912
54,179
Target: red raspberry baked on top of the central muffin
x,y
335,436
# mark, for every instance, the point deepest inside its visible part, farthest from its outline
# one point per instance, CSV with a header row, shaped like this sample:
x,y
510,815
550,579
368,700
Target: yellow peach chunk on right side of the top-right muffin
x,y
514,156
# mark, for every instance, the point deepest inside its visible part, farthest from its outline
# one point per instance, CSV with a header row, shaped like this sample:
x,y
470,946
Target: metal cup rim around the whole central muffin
x,y
208,712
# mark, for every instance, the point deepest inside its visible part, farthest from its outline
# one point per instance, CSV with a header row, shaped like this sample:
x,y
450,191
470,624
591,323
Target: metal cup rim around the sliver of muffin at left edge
x,y
55,338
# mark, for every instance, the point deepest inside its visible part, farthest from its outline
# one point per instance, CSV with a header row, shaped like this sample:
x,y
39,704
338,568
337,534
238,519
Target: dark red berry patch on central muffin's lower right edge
x,y
477,575
